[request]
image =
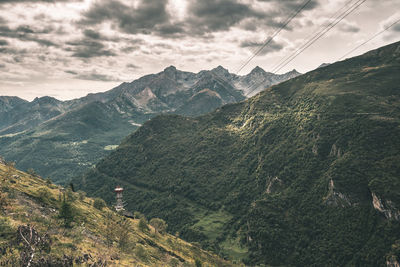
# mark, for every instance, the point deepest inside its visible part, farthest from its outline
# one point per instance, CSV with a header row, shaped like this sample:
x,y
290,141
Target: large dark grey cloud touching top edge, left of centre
x,y
148,15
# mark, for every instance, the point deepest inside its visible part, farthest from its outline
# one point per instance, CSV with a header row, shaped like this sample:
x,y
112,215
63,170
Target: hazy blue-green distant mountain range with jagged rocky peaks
x,y
62,138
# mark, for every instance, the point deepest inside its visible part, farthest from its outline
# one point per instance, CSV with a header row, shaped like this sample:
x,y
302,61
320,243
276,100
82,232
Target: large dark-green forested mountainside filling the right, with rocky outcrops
x,y
304,174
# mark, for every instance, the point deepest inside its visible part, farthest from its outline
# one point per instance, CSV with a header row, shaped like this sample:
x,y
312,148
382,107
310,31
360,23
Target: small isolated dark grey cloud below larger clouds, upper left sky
x,y
86,48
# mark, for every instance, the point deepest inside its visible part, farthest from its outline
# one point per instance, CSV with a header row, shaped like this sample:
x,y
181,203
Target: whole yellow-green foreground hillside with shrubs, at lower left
x,y
44,225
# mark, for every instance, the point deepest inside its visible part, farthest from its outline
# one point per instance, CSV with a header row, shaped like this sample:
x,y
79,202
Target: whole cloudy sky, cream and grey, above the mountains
x,y
69,48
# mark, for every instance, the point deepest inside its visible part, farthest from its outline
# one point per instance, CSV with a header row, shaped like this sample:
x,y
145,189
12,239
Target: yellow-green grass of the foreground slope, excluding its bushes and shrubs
x,y
87,234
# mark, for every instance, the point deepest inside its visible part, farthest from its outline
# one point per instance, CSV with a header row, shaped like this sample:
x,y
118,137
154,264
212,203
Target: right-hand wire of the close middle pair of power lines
x,y
319,35
